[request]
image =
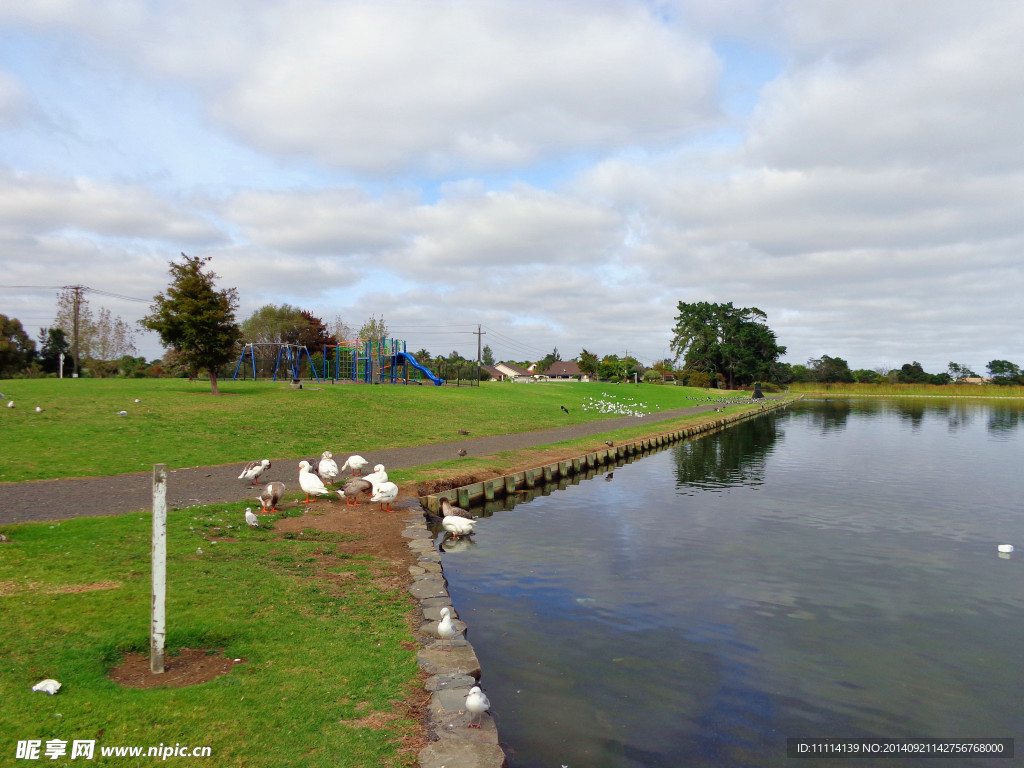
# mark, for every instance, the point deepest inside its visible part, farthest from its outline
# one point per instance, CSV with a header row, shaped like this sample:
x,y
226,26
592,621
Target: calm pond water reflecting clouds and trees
x,y
828,572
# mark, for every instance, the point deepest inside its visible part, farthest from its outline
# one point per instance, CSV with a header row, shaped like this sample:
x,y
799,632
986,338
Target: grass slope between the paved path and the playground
x,y
181,424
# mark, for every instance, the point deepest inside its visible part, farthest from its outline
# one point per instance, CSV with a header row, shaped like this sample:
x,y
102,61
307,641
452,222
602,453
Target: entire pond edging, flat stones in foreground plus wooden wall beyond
x,y
453,673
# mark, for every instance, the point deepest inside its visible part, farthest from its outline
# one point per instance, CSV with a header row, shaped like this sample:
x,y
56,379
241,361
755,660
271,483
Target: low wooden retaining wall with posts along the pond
x,y
540,480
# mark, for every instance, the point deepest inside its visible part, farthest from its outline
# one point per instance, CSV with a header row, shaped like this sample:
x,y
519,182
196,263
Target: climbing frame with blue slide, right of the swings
x,y
386,362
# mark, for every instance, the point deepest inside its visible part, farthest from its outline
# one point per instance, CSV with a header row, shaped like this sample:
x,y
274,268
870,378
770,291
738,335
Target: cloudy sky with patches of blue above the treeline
x,y
562,173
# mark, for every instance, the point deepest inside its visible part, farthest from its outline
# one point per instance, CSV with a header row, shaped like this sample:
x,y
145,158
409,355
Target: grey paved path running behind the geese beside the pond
x,y
89,497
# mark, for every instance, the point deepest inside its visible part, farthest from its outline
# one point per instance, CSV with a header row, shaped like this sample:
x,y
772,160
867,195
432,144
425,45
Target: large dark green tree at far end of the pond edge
x,y
728,342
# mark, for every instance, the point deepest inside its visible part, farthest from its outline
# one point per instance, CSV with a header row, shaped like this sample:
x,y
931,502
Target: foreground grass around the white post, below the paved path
x,y
326,661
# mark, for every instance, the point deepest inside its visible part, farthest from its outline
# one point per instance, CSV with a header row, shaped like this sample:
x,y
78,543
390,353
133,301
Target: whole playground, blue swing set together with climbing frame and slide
x,y
357,362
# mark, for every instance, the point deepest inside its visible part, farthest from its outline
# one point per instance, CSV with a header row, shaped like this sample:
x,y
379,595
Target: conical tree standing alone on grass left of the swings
x,y
195,320
